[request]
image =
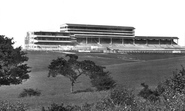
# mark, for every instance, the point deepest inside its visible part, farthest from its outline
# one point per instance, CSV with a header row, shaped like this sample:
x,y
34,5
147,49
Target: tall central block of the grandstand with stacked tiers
x,y
99,34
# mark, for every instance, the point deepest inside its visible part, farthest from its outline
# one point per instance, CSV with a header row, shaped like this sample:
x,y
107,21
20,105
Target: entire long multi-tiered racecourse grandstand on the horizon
x,y
100,38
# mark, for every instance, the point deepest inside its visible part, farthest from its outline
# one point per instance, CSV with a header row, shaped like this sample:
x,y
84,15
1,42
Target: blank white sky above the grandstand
x,y
149,17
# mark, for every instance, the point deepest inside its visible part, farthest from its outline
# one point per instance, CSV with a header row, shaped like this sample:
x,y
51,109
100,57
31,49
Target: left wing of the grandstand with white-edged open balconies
x,y
48,40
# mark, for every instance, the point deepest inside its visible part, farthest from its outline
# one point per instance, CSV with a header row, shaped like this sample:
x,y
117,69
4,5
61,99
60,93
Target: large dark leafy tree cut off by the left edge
x,y
13,69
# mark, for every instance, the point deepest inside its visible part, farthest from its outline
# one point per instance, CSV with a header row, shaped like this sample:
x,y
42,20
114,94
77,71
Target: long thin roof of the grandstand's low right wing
x,y
155,37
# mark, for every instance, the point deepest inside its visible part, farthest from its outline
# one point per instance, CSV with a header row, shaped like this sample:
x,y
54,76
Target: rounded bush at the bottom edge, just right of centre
x,y
119,99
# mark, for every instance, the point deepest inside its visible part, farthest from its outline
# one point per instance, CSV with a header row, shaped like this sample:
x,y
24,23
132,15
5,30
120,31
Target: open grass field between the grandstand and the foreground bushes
x,y
127,69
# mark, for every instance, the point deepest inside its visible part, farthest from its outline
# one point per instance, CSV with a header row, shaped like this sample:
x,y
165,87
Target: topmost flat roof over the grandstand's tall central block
x,y
99,26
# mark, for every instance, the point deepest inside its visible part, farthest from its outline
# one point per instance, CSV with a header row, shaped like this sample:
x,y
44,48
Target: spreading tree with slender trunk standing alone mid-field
x,y
73,69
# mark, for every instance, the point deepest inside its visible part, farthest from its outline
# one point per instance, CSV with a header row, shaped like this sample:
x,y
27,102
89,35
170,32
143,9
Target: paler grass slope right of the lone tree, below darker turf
x,y
151,72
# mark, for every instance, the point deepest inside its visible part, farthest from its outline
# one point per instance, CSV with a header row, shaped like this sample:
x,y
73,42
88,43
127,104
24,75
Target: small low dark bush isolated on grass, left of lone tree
x,y
30,92
